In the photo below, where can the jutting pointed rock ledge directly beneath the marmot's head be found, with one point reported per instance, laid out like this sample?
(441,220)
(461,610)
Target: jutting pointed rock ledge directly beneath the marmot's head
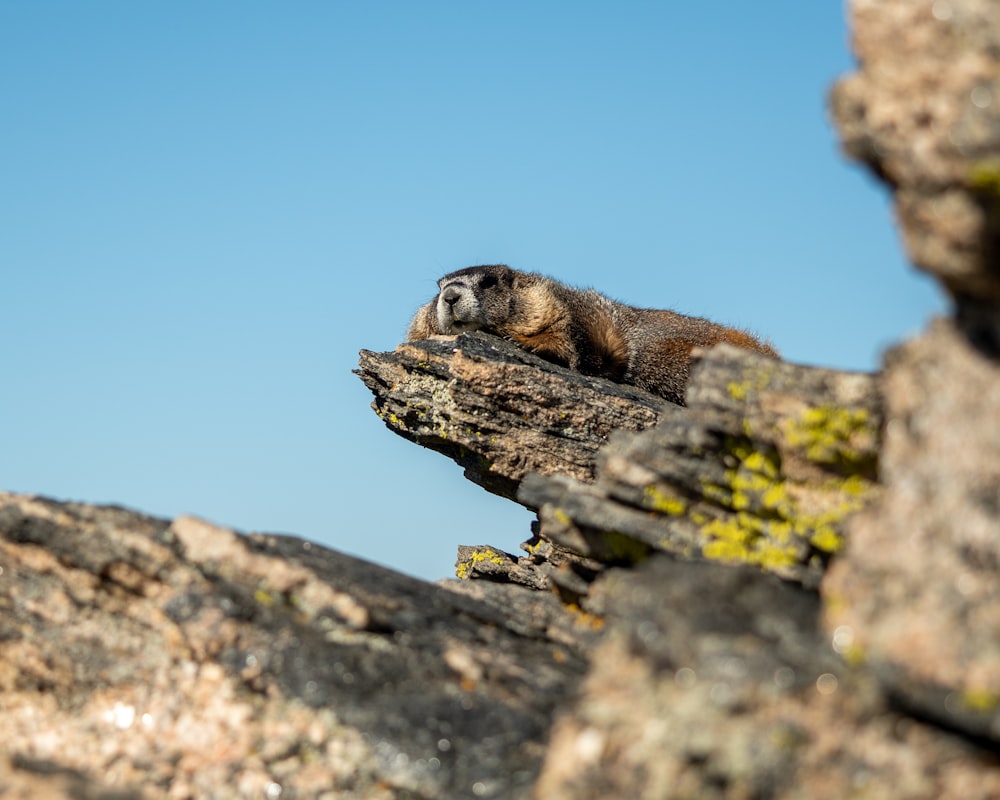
(498,411)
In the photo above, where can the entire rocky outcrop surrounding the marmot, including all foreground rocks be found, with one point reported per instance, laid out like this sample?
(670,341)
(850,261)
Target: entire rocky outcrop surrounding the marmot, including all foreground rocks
(786,588)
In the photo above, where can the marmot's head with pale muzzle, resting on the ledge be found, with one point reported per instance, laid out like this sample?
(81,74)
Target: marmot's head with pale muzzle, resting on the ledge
(475,298)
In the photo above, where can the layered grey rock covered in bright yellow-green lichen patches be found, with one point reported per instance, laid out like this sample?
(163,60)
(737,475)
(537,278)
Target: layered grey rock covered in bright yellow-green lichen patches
(764,466)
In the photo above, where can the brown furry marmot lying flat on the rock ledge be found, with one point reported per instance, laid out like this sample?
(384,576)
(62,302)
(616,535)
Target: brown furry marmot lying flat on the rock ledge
(578,328)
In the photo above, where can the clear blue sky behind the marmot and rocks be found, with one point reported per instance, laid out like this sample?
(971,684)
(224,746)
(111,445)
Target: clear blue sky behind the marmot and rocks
(209,208)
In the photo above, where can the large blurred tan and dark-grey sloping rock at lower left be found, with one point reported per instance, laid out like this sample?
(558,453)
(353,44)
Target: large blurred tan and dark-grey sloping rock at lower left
(183,660)
